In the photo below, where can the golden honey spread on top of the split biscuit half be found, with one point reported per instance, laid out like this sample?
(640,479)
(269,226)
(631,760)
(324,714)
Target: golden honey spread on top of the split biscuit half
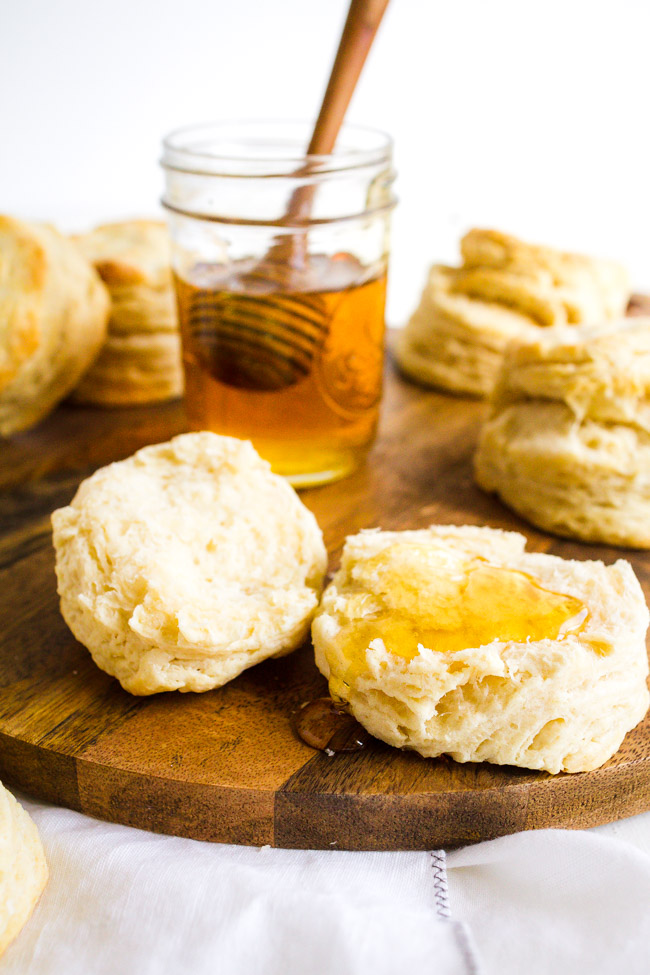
(466,603)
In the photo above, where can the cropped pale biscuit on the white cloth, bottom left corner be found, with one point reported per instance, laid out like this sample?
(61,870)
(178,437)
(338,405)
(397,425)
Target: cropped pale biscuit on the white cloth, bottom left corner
(23,870)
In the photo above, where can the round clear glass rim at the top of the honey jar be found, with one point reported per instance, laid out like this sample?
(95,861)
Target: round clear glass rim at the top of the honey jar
(263,148)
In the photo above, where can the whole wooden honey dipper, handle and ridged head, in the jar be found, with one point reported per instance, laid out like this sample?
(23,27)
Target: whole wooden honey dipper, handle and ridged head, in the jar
(271,337)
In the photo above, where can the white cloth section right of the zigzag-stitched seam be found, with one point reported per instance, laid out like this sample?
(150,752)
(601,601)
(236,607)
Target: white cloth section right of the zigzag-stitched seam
(556,901)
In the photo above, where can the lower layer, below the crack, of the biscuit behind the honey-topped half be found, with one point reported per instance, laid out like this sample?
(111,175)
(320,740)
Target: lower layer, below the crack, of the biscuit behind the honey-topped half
(580,480)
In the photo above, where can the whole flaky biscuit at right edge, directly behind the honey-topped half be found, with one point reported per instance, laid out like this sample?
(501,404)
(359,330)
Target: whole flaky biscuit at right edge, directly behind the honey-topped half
(567,442)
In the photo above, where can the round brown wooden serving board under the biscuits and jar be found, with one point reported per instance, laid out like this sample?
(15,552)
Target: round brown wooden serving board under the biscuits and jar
(226,765)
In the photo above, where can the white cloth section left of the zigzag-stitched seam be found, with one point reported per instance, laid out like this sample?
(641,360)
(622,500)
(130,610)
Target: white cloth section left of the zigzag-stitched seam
(122,901)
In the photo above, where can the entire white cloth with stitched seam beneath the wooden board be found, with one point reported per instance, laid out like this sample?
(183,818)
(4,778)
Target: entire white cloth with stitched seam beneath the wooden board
(126,902)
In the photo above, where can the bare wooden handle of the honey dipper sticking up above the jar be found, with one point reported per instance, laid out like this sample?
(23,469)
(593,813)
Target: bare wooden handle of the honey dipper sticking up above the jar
(364,17)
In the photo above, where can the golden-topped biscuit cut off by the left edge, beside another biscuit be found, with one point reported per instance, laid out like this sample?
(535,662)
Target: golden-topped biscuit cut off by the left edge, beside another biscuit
(53,316)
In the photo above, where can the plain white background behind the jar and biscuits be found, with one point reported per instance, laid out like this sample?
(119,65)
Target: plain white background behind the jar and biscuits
(528,116)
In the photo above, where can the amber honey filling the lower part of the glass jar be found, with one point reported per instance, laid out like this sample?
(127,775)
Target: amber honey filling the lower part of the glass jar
(293,364)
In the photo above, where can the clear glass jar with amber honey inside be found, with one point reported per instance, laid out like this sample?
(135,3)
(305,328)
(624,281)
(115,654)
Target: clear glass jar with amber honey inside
(280,264)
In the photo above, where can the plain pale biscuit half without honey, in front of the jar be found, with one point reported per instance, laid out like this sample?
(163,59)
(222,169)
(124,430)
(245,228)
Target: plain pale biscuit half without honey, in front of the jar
(187,563)
